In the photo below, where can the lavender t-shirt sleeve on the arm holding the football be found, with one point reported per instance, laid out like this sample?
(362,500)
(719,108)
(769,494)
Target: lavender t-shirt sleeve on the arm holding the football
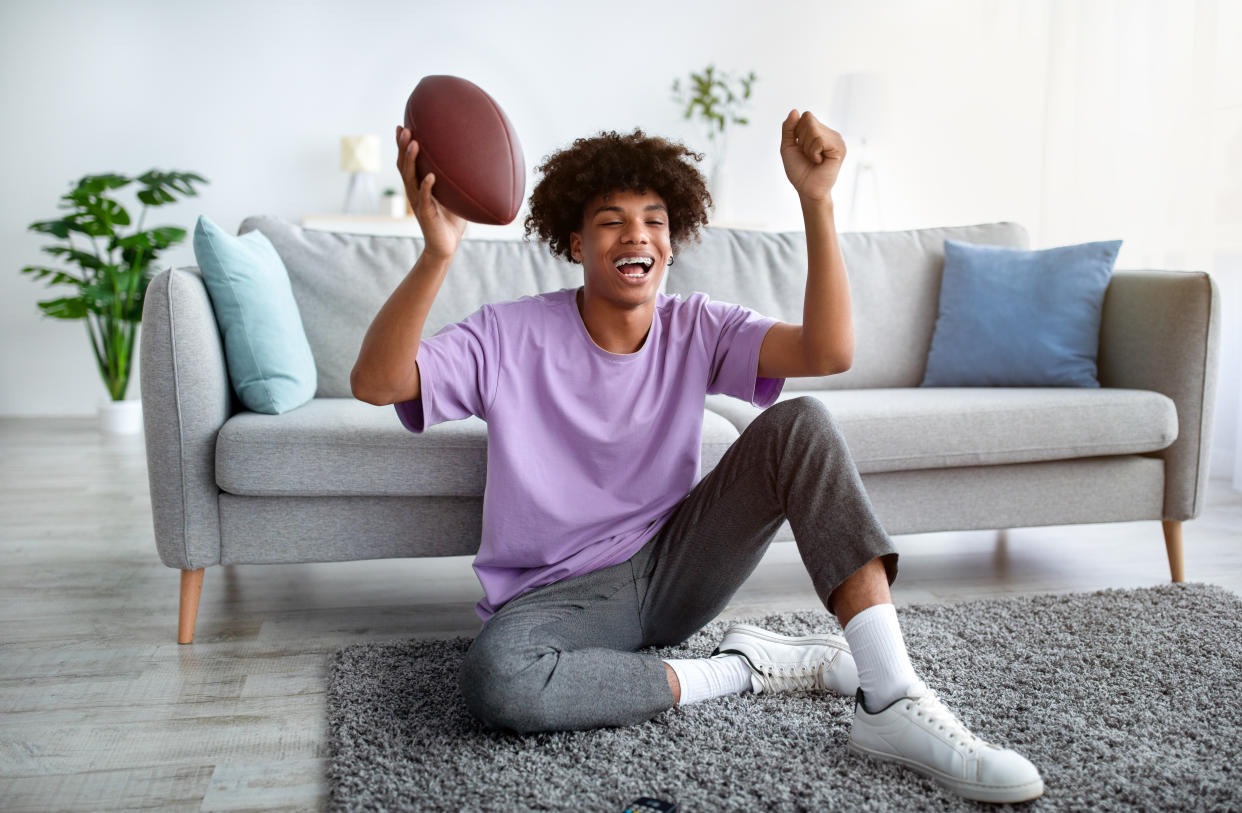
(458,373)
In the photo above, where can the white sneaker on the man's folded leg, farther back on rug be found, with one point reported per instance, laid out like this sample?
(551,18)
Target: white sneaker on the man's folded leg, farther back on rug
(784,663)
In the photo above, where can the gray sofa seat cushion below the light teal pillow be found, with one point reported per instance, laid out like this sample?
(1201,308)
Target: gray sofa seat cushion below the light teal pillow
(342,447)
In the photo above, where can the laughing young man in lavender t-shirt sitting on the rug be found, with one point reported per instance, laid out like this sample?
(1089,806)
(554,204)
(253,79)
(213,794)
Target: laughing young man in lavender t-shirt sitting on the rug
(597,539)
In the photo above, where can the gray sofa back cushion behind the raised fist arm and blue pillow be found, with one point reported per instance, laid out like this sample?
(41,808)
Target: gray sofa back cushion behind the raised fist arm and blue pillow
(895,289)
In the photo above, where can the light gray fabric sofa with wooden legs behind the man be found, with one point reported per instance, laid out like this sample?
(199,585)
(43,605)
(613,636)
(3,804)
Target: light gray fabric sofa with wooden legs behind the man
(338,480)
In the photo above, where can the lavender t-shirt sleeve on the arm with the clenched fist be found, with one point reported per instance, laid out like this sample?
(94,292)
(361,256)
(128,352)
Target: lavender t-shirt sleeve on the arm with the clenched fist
(736,362)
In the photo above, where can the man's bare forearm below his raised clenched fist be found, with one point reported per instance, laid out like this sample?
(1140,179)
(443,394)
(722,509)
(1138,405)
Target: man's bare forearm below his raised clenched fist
(828,323)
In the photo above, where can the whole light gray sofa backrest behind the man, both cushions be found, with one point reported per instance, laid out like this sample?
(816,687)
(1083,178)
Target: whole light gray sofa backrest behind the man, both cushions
(341,281)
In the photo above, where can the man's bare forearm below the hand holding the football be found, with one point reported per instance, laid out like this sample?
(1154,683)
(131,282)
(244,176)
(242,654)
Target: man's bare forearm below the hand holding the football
(387,361)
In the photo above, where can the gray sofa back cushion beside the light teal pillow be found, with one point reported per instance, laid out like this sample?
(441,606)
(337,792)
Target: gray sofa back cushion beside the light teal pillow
(342,281)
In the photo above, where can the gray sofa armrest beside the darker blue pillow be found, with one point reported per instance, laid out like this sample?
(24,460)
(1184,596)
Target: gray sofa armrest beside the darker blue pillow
(1161,332)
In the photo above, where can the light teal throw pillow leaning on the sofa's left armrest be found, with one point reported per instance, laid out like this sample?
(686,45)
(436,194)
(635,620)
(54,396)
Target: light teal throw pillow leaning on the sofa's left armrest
(270,361)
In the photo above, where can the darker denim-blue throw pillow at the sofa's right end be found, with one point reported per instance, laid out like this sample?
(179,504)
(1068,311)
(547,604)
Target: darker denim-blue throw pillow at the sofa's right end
(1020,318)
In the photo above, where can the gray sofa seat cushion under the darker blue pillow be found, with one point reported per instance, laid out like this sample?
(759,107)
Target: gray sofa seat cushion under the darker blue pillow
(913,429)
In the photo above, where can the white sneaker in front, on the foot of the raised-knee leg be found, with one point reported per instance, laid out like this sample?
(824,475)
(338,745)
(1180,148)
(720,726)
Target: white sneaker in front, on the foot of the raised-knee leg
(922,734)
